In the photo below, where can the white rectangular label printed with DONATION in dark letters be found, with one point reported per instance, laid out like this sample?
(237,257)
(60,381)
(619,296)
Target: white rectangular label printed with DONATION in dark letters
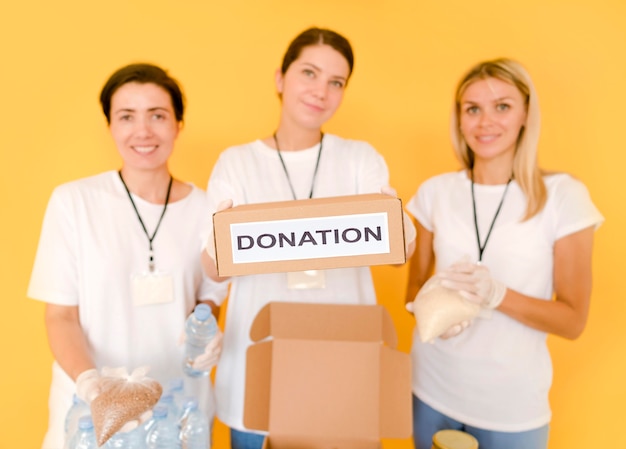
(310,238)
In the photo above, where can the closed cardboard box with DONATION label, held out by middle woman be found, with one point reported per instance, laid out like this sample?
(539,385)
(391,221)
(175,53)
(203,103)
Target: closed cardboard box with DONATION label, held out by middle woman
(312,234)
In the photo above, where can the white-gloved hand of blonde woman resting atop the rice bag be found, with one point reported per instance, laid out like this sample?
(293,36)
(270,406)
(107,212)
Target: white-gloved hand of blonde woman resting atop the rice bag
(475,283)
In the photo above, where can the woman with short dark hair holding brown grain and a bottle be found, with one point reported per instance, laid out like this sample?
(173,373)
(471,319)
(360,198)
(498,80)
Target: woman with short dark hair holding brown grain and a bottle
(117,263)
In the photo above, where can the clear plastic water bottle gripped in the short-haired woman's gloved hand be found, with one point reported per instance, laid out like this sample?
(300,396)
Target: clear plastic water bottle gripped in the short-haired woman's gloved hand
(200,328)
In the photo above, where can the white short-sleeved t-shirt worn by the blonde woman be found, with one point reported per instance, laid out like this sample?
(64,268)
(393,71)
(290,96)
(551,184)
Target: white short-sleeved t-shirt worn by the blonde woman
(497,373)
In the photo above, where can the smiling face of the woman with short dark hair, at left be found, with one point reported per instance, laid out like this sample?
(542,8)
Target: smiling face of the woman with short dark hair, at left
(143,126)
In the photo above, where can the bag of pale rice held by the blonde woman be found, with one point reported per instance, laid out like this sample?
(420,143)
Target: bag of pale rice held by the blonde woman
(437,309)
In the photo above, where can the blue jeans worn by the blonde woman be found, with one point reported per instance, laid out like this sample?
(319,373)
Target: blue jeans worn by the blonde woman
(427,421)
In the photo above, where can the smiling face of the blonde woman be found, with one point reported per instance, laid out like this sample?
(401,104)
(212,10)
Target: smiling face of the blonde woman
(492,113)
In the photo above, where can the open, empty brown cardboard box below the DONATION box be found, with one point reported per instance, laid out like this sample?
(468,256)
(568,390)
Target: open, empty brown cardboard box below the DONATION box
(328,378)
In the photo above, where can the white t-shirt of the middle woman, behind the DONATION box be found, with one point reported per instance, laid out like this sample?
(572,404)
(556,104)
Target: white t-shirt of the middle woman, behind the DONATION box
(253,173)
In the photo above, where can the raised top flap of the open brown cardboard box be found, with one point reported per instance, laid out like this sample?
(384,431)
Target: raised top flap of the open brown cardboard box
(341,322)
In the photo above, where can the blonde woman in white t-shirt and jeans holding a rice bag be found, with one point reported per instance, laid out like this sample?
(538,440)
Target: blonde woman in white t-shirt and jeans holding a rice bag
(515,240)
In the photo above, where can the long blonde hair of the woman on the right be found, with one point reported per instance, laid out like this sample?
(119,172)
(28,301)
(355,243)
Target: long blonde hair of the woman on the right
(526,169)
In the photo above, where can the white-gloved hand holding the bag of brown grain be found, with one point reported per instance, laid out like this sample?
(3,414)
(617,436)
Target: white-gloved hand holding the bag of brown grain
(88,387)
